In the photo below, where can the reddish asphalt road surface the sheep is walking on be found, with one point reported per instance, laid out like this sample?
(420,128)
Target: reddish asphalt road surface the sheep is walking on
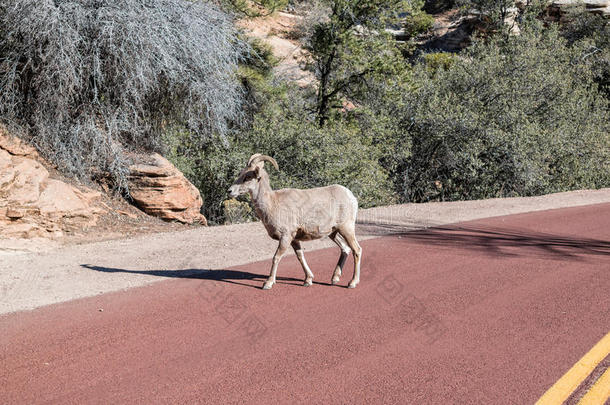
(490,311)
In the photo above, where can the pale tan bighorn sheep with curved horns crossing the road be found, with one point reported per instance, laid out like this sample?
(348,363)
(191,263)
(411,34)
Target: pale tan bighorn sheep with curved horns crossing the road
(293,215)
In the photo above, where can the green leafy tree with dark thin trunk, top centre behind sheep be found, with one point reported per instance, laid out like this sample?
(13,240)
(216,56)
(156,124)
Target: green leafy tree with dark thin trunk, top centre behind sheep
(351,48)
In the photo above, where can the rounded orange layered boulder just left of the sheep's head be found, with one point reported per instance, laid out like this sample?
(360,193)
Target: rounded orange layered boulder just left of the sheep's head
(161,190)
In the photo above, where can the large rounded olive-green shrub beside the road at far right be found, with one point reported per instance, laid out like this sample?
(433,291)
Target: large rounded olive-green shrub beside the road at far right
(518,116)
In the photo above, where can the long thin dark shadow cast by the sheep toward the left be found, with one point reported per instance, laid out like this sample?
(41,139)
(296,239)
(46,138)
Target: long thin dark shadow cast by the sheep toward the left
(219,275)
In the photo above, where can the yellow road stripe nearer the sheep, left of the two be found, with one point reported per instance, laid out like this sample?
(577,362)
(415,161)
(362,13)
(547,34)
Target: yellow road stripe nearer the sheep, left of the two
(561,390)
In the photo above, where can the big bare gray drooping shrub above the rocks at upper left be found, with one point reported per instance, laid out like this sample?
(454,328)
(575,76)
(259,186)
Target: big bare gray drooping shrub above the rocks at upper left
(88,79)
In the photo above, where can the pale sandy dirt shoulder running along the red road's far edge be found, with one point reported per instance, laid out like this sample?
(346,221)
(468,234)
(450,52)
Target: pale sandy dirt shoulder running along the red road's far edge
(36,273)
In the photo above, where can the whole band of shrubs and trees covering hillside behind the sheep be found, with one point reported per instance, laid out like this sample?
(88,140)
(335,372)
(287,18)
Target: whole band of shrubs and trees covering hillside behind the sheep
(511,115)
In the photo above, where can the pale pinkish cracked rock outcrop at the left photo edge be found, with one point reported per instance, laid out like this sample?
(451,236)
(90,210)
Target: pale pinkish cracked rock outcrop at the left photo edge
(32,204)
